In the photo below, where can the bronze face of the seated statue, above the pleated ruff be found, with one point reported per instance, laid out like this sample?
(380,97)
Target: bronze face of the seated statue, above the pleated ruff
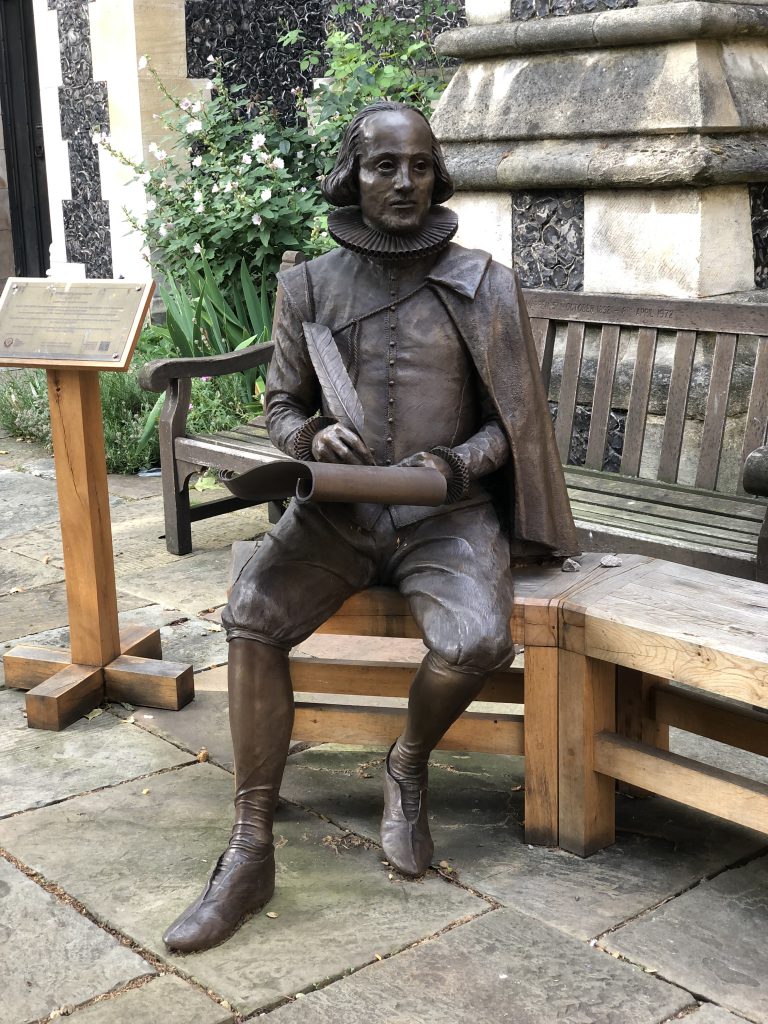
(397,175)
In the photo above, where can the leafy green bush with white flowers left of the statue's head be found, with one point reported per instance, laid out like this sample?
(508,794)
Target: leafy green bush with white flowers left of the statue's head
(232,184)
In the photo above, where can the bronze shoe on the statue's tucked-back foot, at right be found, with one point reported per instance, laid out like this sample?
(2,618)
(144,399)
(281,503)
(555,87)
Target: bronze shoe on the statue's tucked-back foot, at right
(408,845)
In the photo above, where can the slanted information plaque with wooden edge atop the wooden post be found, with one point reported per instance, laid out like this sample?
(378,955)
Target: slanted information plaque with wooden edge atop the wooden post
(92,325)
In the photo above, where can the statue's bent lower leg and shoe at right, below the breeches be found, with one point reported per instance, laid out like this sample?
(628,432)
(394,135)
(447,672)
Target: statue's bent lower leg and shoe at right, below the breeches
(439,696)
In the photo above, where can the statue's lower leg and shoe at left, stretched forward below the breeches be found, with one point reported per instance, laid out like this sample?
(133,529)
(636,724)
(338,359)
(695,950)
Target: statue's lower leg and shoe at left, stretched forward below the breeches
(262,712)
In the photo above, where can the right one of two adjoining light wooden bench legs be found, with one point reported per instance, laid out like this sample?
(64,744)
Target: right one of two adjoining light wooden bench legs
(587,706)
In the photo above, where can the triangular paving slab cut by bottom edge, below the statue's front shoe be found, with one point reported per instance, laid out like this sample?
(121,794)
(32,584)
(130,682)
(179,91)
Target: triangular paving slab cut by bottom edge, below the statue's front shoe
(163,1001)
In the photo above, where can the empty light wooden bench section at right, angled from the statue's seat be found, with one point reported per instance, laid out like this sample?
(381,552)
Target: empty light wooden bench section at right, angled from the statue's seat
(647,623)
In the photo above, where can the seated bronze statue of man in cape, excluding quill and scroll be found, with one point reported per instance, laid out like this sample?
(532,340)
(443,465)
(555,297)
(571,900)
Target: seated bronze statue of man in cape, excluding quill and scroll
(438,344)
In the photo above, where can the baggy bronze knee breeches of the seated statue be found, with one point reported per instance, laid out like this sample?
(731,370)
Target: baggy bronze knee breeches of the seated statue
(454,569)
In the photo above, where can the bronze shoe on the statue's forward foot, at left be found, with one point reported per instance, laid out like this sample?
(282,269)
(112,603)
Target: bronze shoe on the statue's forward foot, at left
(239,887)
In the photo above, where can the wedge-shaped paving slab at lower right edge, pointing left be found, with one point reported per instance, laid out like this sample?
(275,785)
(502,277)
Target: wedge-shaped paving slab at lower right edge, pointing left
(712,941)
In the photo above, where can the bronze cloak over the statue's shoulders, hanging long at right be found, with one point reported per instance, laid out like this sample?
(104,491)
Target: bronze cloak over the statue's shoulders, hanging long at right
(485,302)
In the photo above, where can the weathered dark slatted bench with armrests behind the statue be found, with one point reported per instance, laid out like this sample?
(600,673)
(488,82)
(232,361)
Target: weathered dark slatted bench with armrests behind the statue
(658,406)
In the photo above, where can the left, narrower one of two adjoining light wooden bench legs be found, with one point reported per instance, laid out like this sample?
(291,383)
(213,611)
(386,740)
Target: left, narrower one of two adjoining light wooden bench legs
(541,746)
